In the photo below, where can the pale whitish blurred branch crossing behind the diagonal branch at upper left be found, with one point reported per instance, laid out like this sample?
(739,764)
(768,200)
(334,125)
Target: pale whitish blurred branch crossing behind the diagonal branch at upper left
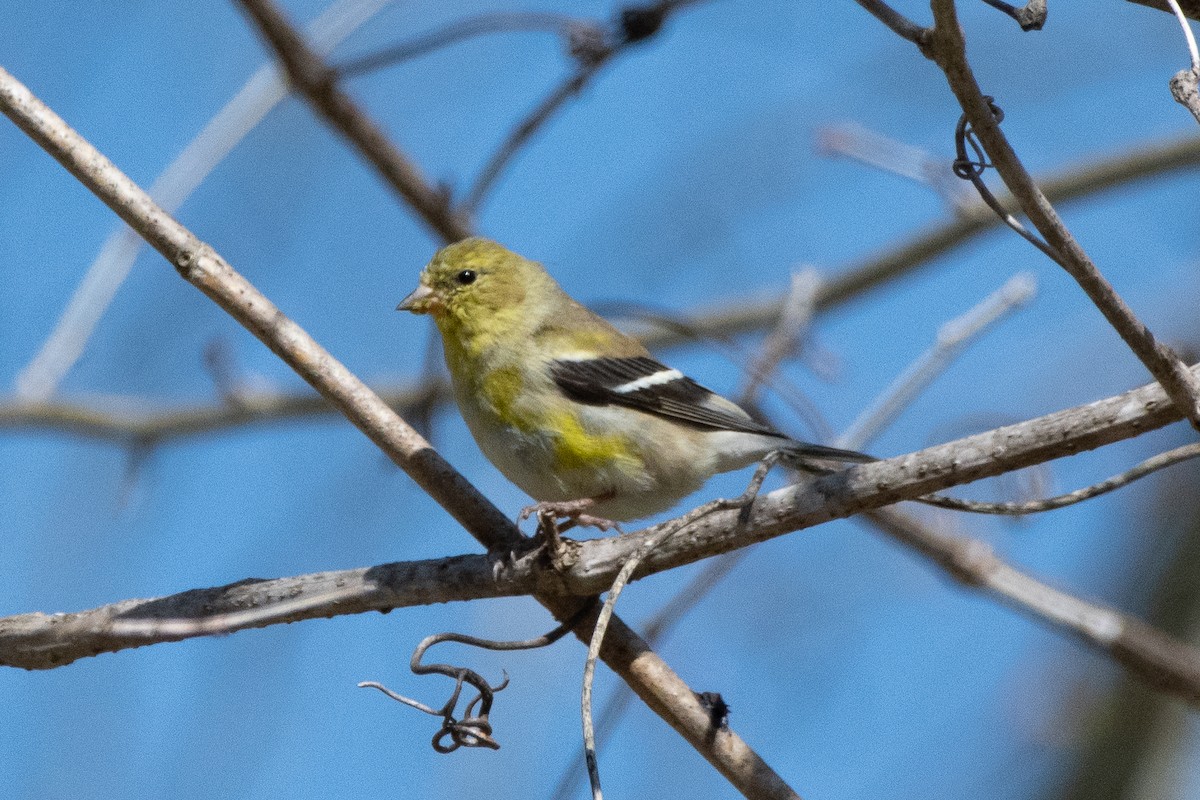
(41,377)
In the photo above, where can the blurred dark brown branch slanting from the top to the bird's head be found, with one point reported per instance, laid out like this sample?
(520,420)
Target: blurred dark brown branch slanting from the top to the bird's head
(319,85)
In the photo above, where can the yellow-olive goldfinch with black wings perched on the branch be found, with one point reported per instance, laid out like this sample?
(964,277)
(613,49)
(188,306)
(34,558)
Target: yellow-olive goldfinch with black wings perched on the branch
(571,410)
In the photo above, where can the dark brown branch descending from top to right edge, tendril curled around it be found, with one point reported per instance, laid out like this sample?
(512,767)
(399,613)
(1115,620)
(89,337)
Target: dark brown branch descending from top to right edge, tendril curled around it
(947,47)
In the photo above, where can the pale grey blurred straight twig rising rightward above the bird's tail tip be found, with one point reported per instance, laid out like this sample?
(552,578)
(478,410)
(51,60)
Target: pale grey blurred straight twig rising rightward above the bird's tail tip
(953,338)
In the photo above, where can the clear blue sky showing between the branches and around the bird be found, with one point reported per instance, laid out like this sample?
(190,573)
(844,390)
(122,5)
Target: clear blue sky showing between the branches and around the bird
(687,177)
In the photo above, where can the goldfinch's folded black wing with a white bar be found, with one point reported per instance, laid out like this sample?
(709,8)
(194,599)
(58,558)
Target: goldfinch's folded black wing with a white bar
(643,383)
